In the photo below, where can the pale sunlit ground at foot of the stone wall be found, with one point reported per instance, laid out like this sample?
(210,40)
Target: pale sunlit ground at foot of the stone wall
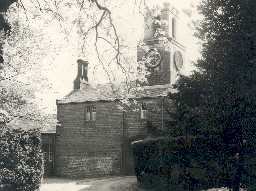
(127,183)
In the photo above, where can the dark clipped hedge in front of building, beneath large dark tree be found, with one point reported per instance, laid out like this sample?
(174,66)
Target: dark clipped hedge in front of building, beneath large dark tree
(188,163)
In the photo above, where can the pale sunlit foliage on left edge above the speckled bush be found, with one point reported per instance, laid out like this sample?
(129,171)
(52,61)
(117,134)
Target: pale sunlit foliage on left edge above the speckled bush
(15,61)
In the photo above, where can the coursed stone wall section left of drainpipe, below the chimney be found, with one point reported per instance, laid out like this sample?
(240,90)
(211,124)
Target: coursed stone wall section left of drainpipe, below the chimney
(88,148)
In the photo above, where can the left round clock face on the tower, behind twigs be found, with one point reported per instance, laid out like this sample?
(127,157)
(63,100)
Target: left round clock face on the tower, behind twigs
(152,58)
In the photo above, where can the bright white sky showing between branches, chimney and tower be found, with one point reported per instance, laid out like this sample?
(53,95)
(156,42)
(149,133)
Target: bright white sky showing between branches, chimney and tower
(60,69)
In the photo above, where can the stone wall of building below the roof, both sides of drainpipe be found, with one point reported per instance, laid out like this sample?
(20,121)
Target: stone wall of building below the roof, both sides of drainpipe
(98,148)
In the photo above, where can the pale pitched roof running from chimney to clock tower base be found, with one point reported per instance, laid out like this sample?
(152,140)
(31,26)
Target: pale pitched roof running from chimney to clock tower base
(106,92)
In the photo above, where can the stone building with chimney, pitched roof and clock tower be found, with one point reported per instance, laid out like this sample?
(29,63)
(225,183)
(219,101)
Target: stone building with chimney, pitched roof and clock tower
(94,133)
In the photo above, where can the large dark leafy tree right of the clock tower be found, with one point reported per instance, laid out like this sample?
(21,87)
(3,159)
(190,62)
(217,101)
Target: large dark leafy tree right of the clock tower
(218,101)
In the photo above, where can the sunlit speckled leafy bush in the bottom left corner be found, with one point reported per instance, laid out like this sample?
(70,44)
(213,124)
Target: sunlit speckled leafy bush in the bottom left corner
(20,159)
